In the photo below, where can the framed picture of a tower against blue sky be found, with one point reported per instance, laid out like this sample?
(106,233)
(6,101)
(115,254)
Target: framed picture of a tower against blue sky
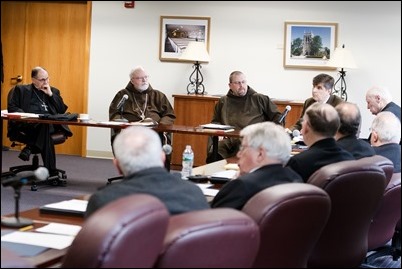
(309,45)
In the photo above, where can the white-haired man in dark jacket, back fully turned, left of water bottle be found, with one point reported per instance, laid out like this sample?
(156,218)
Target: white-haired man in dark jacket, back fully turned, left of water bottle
(139,157)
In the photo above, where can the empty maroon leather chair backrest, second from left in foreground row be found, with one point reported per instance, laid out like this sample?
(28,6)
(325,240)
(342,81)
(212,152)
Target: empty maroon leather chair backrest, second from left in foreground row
(210,238)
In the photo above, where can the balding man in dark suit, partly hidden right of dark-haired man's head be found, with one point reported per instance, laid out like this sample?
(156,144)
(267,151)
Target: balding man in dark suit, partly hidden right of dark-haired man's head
(348,132)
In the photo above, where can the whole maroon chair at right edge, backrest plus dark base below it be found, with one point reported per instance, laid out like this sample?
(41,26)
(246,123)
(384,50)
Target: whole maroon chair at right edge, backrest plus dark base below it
(384,225)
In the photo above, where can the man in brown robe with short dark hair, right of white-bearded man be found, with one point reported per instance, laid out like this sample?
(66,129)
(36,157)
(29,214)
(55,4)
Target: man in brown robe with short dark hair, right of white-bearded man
(241,106)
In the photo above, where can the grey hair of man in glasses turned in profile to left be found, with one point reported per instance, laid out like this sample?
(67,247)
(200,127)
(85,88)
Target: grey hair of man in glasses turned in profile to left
(271,137)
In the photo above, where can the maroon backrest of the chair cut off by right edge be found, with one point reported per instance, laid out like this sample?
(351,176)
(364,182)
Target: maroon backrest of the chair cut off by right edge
(383,225)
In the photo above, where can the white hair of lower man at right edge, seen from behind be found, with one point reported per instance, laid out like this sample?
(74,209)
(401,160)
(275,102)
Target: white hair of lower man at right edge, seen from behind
(388,127)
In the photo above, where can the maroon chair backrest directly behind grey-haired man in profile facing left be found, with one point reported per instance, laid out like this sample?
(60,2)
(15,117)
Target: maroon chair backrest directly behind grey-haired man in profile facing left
(291,217)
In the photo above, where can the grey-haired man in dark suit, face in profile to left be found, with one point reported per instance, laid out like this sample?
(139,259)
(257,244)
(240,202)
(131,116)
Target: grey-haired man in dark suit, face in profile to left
(264,150)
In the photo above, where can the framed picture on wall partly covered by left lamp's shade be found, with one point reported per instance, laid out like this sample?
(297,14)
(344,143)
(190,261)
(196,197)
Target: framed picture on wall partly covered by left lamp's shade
(177,31)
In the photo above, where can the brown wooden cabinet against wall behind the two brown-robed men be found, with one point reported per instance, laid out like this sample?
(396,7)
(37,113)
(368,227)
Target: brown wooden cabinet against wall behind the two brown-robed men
(193,110)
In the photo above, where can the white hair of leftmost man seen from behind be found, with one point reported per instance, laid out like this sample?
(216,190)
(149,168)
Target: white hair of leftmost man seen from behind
(137,148)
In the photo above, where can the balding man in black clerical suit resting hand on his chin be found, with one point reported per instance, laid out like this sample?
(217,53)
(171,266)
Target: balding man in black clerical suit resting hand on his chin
(39,98)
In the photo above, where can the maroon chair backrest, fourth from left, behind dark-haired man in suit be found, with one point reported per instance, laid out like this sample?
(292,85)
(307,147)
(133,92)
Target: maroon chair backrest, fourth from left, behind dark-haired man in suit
(356,188)
